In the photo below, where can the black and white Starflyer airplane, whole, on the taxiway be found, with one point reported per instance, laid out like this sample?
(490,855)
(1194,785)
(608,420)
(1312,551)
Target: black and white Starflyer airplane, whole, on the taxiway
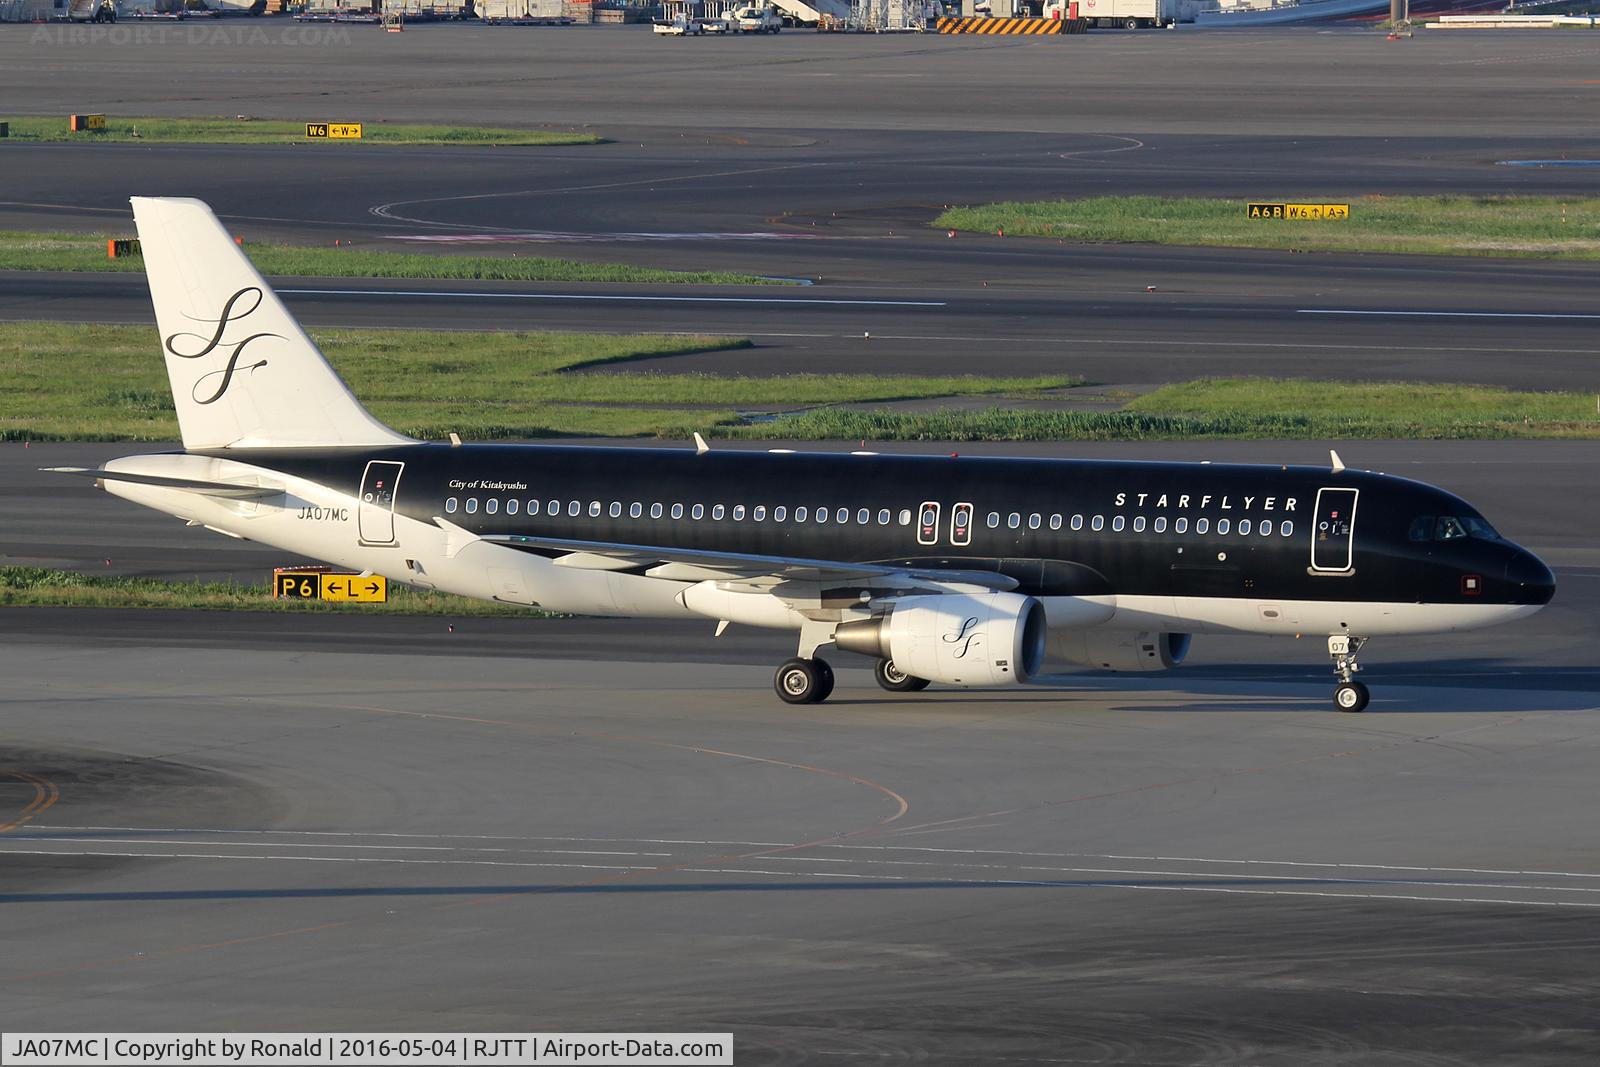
(966,572)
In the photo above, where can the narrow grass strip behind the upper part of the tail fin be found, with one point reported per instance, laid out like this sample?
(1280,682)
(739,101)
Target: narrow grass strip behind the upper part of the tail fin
(87,252)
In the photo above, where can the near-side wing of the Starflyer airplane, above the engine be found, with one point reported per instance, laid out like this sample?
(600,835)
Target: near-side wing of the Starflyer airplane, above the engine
(697,565)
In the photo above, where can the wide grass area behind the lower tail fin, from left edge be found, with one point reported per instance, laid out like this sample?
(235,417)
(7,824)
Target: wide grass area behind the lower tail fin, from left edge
(71,382)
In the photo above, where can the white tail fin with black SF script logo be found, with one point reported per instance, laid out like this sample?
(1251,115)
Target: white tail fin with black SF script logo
(244,374)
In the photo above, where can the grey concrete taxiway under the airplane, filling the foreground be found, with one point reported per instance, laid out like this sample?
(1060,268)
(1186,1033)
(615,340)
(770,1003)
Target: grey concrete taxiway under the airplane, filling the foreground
(362,823)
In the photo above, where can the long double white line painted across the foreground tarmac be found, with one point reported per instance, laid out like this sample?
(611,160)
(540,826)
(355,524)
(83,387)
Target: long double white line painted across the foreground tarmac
(934,866)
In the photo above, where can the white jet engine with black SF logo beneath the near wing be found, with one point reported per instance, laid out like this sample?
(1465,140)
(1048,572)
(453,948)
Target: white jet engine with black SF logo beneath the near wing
(959,639)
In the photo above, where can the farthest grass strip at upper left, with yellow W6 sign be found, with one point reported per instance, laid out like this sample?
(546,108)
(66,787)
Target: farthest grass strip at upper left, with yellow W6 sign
(218,130)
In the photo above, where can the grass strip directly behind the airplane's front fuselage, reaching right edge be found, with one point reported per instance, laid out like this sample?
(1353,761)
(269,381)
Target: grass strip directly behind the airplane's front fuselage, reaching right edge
(1230,409)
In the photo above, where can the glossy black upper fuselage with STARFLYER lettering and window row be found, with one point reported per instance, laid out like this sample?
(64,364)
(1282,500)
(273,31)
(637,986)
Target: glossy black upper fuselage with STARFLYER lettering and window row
(1057,527)
